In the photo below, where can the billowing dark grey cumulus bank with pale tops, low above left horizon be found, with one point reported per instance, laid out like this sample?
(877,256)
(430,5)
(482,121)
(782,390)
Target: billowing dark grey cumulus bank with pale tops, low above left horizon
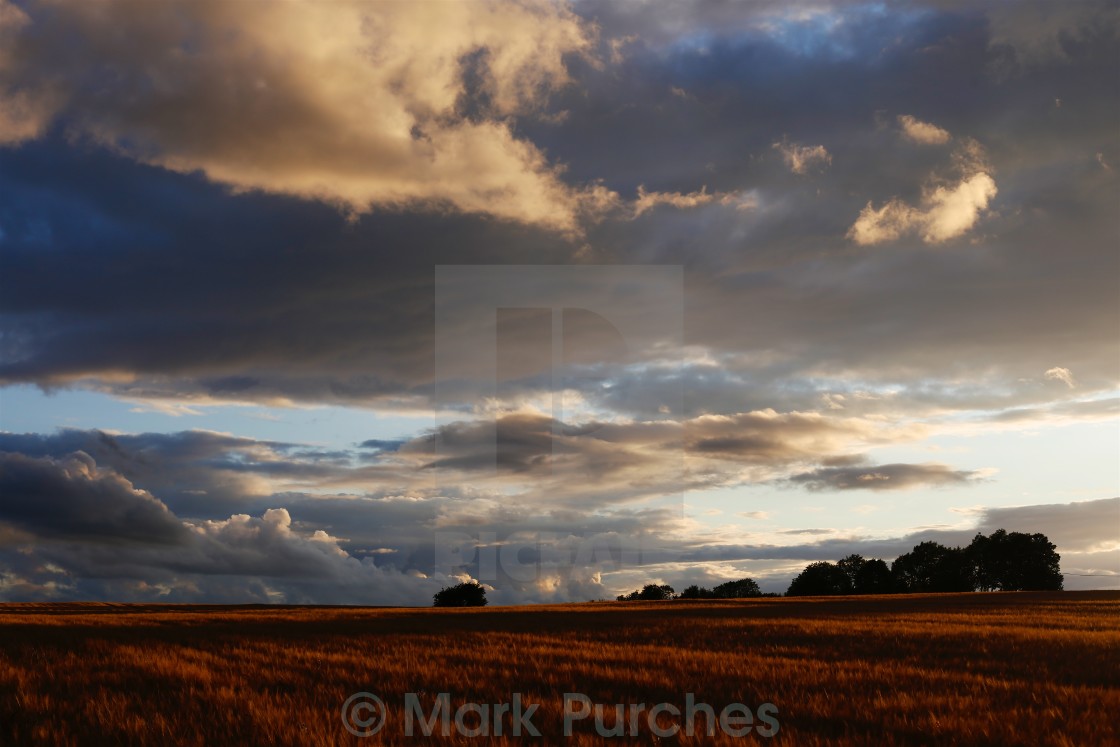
(86,533)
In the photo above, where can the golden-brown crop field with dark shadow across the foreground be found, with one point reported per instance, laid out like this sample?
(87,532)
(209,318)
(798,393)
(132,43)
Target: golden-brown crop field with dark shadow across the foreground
(973,669)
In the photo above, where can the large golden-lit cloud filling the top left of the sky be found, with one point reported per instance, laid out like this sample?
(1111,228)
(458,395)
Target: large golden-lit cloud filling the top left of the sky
(358,105)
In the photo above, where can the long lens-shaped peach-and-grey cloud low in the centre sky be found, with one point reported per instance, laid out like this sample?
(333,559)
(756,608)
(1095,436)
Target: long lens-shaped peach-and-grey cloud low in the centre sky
(606,463)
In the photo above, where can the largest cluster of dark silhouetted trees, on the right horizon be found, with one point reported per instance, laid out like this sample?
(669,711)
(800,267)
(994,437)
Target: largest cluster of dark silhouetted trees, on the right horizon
(1009,562)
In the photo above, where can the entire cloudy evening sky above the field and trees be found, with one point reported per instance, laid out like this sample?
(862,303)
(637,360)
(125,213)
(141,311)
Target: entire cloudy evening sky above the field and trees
(346,303)
